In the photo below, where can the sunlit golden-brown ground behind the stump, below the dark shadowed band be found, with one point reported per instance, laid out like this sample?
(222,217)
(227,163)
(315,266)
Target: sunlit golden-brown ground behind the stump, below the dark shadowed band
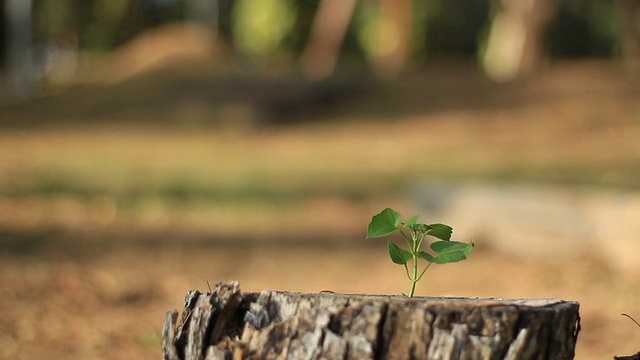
(87,274)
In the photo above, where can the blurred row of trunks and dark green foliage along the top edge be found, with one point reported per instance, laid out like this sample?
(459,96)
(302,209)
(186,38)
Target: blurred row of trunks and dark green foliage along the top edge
(390,34)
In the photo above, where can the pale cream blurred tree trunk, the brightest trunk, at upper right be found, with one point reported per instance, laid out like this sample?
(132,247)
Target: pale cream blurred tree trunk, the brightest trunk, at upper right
(514,45)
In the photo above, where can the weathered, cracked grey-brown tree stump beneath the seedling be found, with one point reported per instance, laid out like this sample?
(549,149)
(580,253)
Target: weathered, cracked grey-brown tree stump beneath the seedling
(228,324)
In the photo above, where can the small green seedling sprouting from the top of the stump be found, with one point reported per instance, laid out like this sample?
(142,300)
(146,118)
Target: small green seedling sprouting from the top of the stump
(389,221)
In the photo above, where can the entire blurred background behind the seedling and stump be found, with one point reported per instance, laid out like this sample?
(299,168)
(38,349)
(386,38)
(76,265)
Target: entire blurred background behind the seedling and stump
(150,146)
